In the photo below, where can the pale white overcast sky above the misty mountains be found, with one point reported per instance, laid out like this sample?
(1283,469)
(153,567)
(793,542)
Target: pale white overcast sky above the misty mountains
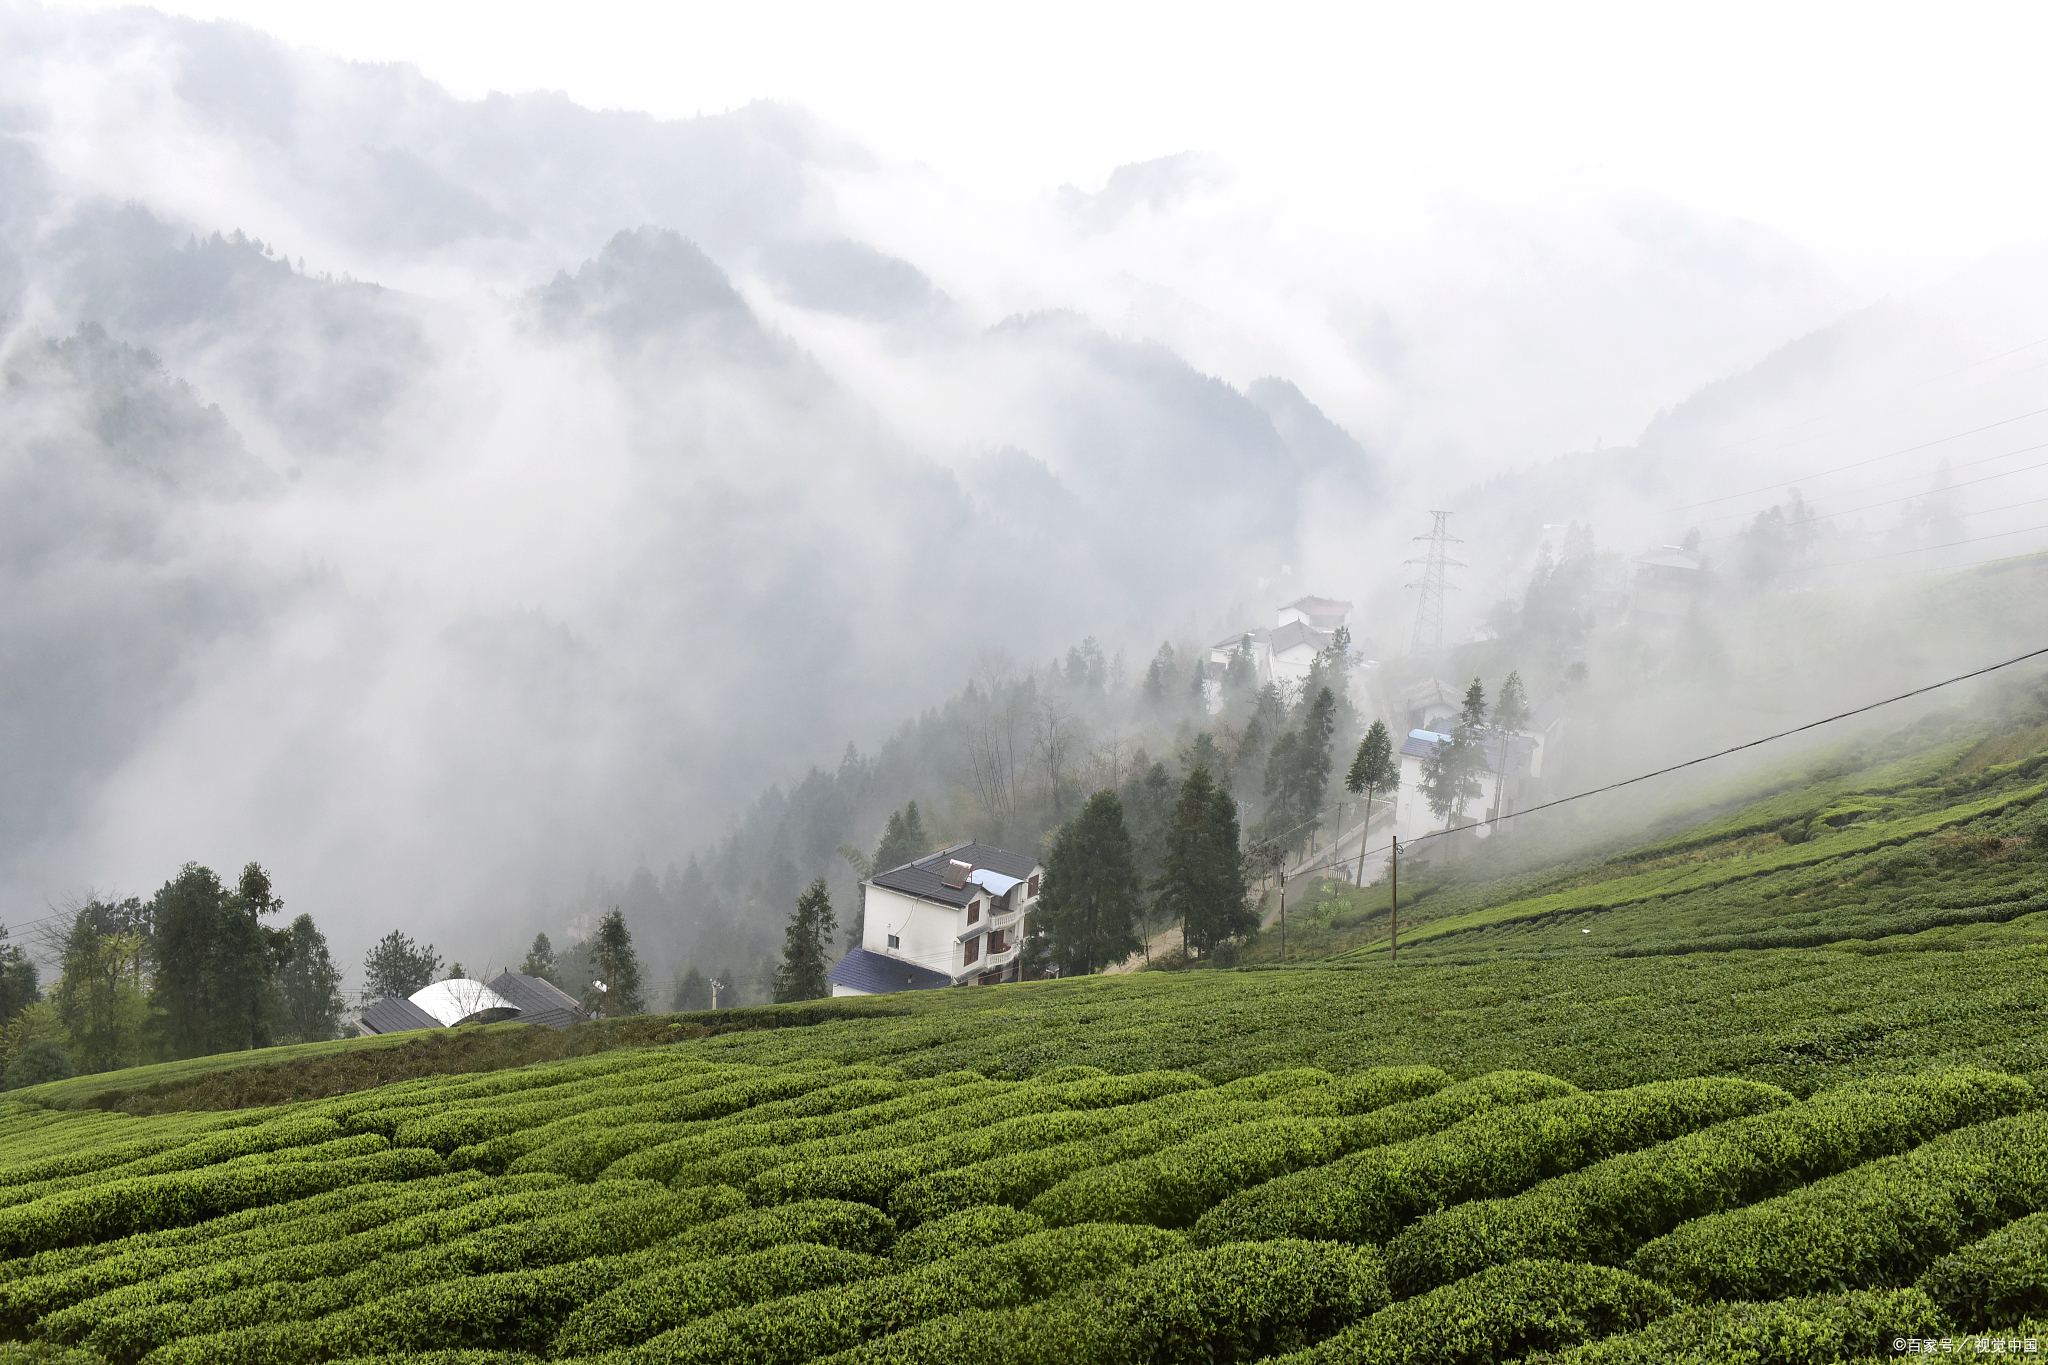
(1891,140)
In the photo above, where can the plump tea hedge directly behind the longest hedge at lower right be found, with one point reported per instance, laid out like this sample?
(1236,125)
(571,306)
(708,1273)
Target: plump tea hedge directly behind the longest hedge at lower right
(1496,1153)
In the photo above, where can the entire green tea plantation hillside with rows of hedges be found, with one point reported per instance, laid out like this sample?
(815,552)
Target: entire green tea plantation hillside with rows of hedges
(1687,1143)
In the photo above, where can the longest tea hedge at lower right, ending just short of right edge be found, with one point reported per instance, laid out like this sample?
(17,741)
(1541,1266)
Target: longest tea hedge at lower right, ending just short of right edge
(1609,1210)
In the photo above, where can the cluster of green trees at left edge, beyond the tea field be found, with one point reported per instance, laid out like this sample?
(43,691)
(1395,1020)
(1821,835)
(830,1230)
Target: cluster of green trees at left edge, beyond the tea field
(189,973)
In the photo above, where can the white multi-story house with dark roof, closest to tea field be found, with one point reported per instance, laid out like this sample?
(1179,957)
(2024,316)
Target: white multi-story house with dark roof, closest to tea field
(945,920)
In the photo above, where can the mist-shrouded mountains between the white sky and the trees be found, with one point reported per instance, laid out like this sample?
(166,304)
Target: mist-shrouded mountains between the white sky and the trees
(460,504)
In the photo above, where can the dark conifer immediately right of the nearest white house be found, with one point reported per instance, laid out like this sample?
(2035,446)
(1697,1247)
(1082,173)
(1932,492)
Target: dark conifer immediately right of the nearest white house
(1091,899)
